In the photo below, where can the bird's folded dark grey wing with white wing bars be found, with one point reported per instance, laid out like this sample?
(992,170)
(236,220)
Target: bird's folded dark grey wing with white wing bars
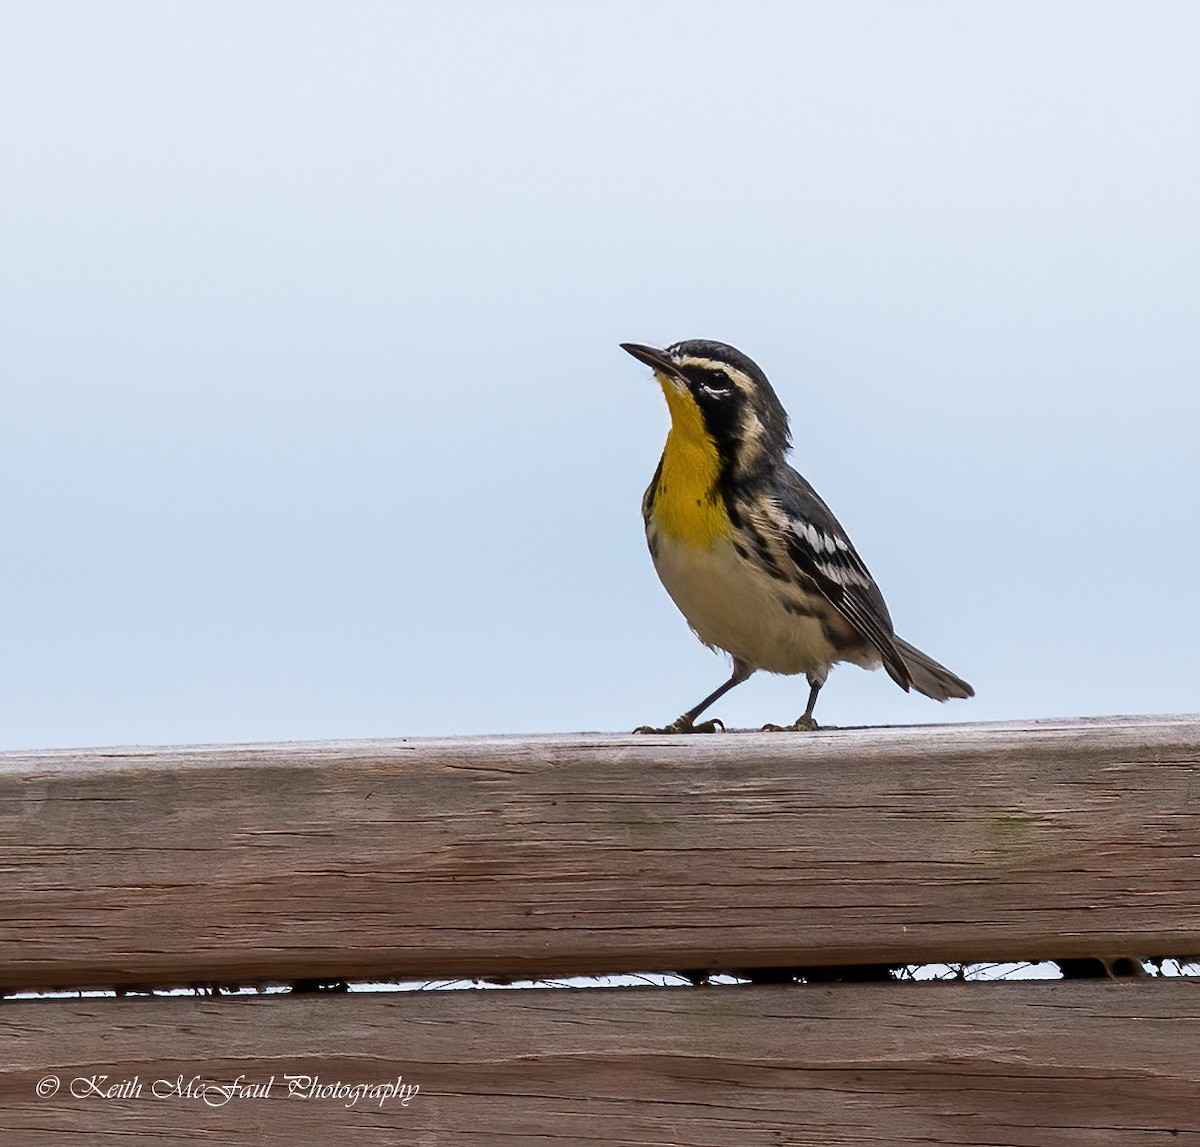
(819,548)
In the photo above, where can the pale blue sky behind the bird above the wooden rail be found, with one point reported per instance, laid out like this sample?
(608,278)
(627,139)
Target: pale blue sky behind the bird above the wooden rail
(315,423)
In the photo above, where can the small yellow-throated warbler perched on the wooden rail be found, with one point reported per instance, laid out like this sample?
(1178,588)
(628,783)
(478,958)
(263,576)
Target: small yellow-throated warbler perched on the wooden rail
(746,548)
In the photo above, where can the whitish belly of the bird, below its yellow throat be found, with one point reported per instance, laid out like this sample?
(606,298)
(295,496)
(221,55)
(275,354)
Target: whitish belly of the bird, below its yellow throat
(761,621)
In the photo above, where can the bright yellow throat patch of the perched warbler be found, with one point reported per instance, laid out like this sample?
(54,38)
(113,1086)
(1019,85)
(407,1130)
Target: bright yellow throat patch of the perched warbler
(687,502)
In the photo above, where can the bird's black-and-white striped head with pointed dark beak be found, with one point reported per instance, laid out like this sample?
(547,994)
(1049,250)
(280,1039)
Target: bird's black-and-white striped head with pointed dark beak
(715,391)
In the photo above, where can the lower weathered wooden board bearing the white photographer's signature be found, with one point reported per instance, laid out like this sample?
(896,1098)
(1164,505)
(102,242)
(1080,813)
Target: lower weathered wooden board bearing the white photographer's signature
(1022,1065)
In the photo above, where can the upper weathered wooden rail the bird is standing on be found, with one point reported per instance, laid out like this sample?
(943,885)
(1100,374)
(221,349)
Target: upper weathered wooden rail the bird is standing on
(557,856)
